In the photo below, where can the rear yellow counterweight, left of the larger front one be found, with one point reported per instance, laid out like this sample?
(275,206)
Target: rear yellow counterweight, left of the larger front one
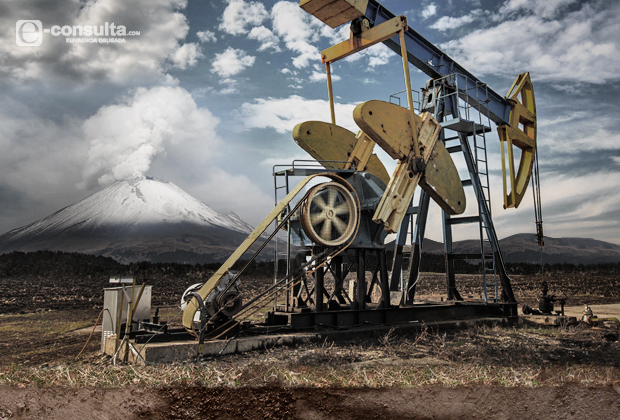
(328,142)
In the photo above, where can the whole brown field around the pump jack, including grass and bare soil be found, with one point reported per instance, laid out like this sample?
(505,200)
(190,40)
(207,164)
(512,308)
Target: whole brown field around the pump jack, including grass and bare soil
(480,372)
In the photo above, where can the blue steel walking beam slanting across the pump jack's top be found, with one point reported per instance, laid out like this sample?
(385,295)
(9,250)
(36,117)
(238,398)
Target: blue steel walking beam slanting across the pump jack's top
(435,63)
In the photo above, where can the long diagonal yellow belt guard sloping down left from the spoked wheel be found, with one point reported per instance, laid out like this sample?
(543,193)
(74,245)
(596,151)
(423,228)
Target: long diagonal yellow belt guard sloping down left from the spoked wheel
(207,288)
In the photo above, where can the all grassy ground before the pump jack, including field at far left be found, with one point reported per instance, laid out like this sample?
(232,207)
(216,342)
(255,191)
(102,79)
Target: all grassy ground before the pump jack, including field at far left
(482,355)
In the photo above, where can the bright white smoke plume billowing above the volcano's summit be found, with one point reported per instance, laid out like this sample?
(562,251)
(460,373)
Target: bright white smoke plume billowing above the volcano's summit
(124,138)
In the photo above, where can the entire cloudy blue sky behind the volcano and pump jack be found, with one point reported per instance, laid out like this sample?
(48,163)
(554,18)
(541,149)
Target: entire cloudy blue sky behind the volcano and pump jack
(208,93)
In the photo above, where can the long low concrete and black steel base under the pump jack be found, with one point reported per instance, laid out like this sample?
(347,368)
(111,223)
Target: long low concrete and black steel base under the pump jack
(328,325)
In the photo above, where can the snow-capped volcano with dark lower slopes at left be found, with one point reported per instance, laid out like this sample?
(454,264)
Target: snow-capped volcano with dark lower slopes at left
(140,219)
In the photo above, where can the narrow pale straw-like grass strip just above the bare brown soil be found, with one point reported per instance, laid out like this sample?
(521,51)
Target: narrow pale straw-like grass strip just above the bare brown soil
(258,374)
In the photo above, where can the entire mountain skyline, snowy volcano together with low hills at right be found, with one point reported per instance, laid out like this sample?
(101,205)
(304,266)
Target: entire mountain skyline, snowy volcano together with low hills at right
(147,219)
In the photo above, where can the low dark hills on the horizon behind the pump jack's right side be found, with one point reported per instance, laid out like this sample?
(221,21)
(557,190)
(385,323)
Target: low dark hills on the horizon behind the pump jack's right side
(523,247)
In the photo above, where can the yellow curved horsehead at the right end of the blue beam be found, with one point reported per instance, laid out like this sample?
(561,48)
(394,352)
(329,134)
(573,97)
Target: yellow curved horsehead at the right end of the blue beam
(521,132)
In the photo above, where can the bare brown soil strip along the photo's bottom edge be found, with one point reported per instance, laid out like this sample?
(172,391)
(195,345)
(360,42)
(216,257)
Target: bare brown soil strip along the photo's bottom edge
(429,402)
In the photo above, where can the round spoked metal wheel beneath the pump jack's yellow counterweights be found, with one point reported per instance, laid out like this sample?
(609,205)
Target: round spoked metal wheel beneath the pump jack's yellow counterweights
(330,214)
